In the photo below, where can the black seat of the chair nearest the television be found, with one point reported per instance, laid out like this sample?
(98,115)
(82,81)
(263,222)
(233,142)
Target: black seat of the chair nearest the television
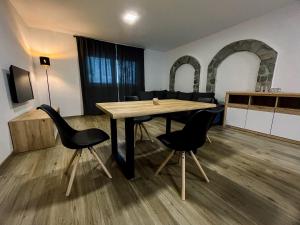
(89,138)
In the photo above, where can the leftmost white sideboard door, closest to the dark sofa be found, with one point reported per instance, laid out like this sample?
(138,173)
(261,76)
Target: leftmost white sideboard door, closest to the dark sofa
(236,117)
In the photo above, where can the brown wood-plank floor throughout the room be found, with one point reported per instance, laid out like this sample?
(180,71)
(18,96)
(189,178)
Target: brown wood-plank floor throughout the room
(253,180)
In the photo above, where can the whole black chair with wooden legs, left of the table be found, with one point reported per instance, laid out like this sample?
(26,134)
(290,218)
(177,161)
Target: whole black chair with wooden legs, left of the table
(76,140)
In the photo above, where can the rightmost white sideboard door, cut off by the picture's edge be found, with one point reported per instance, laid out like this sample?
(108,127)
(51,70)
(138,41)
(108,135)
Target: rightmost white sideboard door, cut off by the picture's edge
(287,126)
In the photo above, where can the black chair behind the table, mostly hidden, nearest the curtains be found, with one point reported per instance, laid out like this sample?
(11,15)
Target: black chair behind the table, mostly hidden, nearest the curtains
(139,121)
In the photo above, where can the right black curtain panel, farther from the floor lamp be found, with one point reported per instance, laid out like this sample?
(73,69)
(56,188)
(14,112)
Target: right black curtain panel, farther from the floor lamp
(130,67)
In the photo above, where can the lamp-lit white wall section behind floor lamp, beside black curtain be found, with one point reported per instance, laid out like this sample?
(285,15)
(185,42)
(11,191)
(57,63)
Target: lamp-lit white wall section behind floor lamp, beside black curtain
(64,77)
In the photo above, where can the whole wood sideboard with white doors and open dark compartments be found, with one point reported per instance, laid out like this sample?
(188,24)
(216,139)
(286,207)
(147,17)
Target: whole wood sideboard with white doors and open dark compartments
(274,115)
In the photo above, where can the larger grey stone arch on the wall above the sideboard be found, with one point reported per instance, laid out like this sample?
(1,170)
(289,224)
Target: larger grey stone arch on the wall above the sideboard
(266,54)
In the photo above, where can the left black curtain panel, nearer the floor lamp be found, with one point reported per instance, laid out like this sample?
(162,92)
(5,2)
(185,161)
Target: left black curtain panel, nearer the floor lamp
(97,62)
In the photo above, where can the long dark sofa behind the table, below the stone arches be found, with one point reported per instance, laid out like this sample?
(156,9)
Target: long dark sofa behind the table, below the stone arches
(192,96)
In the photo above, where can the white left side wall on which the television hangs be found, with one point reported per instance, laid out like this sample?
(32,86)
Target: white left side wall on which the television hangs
(13,50)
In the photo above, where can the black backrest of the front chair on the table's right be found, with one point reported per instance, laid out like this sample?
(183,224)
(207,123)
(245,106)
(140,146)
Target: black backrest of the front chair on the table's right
(196,128)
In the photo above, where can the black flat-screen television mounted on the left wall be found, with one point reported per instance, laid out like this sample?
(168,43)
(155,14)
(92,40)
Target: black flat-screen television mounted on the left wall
(20,85)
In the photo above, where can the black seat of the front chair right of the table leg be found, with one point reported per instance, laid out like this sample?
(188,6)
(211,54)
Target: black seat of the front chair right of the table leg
(174,140)
